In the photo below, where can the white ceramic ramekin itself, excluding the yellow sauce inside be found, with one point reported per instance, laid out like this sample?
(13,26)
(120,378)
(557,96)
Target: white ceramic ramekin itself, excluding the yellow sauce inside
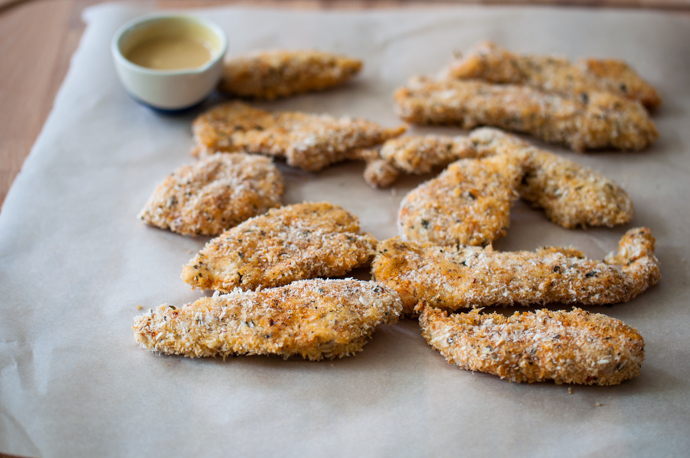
(169,90)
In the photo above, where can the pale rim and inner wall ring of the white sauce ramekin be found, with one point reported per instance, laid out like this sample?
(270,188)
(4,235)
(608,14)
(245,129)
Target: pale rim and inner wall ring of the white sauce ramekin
(129,25)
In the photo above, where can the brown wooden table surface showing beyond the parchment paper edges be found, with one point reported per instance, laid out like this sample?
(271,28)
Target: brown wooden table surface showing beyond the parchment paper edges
(37,38)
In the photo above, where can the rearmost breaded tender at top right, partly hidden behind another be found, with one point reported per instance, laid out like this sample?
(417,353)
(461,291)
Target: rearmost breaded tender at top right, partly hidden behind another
(494,64)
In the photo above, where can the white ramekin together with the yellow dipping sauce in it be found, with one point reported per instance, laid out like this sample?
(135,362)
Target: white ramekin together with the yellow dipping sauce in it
(169,62)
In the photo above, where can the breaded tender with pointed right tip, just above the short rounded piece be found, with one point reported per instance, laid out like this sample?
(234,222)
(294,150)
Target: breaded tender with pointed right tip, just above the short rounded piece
(309,142)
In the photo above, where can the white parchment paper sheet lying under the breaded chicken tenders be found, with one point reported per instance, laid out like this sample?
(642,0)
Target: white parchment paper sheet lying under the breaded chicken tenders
(75,263)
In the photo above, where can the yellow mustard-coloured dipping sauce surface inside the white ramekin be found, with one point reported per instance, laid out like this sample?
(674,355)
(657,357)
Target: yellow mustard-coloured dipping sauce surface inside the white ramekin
(169,53)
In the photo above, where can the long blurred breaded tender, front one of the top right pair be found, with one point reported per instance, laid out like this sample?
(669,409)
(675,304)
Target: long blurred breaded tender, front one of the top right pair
(599,120)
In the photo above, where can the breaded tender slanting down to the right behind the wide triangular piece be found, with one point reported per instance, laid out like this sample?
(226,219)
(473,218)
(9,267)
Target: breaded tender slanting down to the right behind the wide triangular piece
(570,194)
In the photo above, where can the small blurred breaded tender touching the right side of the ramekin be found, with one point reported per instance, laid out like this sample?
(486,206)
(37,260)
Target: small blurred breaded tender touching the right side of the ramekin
(269,75)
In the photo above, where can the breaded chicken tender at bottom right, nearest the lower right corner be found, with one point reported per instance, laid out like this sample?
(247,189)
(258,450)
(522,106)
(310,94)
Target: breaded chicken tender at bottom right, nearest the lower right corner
(566,347)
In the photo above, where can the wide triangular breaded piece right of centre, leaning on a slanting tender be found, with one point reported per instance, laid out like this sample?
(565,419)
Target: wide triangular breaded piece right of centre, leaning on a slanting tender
(467,204)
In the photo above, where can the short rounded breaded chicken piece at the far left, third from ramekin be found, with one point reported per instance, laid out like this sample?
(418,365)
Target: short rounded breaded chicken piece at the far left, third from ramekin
(218,192)
